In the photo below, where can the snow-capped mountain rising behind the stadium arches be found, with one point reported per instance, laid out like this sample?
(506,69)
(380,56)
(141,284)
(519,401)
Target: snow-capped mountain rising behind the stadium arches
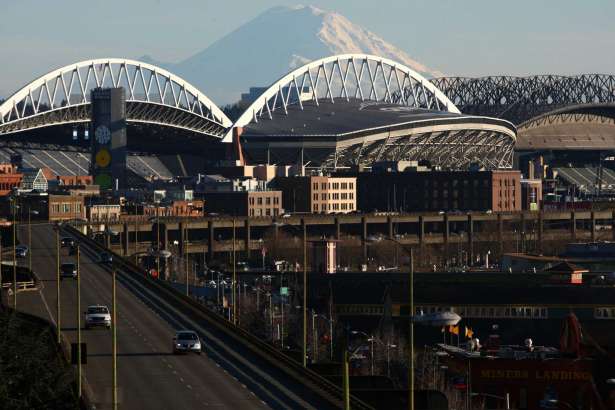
(278,40)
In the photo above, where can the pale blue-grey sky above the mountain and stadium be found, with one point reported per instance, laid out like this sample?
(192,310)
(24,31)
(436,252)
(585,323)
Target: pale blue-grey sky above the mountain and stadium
(470,38)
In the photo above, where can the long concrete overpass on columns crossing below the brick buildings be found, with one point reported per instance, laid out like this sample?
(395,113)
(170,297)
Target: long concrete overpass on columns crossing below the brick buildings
(212,236)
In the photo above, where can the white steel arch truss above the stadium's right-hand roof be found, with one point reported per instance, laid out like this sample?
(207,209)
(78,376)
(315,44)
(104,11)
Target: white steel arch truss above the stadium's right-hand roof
(345,77)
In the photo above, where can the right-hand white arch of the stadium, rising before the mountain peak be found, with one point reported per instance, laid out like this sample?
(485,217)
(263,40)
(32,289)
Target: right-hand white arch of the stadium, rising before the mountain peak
(290,83)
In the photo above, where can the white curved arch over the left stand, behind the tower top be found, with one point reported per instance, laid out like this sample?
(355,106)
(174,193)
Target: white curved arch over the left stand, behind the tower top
(161,84)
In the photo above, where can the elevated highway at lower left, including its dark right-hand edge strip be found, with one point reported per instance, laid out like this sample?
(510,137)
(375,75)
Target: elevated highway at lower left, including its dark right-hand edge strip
(231,374)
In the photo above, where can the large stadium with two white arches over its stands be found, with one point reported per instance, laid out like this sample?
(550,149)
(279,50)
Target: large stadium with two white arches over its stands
(337,112)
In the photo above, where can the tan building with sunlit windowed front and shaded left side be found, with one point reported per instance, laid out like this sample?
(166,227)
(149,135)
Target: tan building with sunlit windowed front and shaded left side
(318,194)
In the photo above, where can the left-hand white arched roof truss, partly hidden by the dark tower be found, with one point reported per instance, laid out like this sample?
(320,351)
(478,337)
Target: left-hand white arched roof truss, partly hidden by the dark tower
(153,96)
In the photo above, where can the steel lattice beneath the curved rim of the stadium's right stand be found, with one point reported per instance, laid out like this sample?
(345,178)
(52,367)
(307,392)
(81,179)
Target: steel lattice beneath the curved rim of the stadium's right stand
(449,149)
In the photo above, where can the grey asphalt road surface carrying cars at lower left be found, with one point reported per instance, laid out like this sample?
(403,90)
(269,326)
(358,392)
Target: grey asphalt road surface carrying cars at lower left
(149,375)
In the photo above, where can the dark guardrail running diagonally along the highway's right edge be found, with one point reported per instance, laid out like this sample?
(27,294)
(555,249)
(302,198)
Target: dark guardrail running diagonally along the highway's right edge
(325,389)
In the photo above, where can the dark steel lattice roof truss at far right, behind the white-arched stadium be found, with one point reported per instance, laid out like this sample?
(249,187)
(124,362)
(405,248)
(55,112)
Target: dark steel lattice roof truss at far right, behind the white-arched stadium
(518,99)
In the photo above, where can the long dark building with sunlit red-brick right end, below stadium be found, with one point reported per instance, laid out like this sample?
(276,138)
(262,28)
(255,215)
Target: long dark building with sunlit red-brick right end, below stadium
(436,191)
